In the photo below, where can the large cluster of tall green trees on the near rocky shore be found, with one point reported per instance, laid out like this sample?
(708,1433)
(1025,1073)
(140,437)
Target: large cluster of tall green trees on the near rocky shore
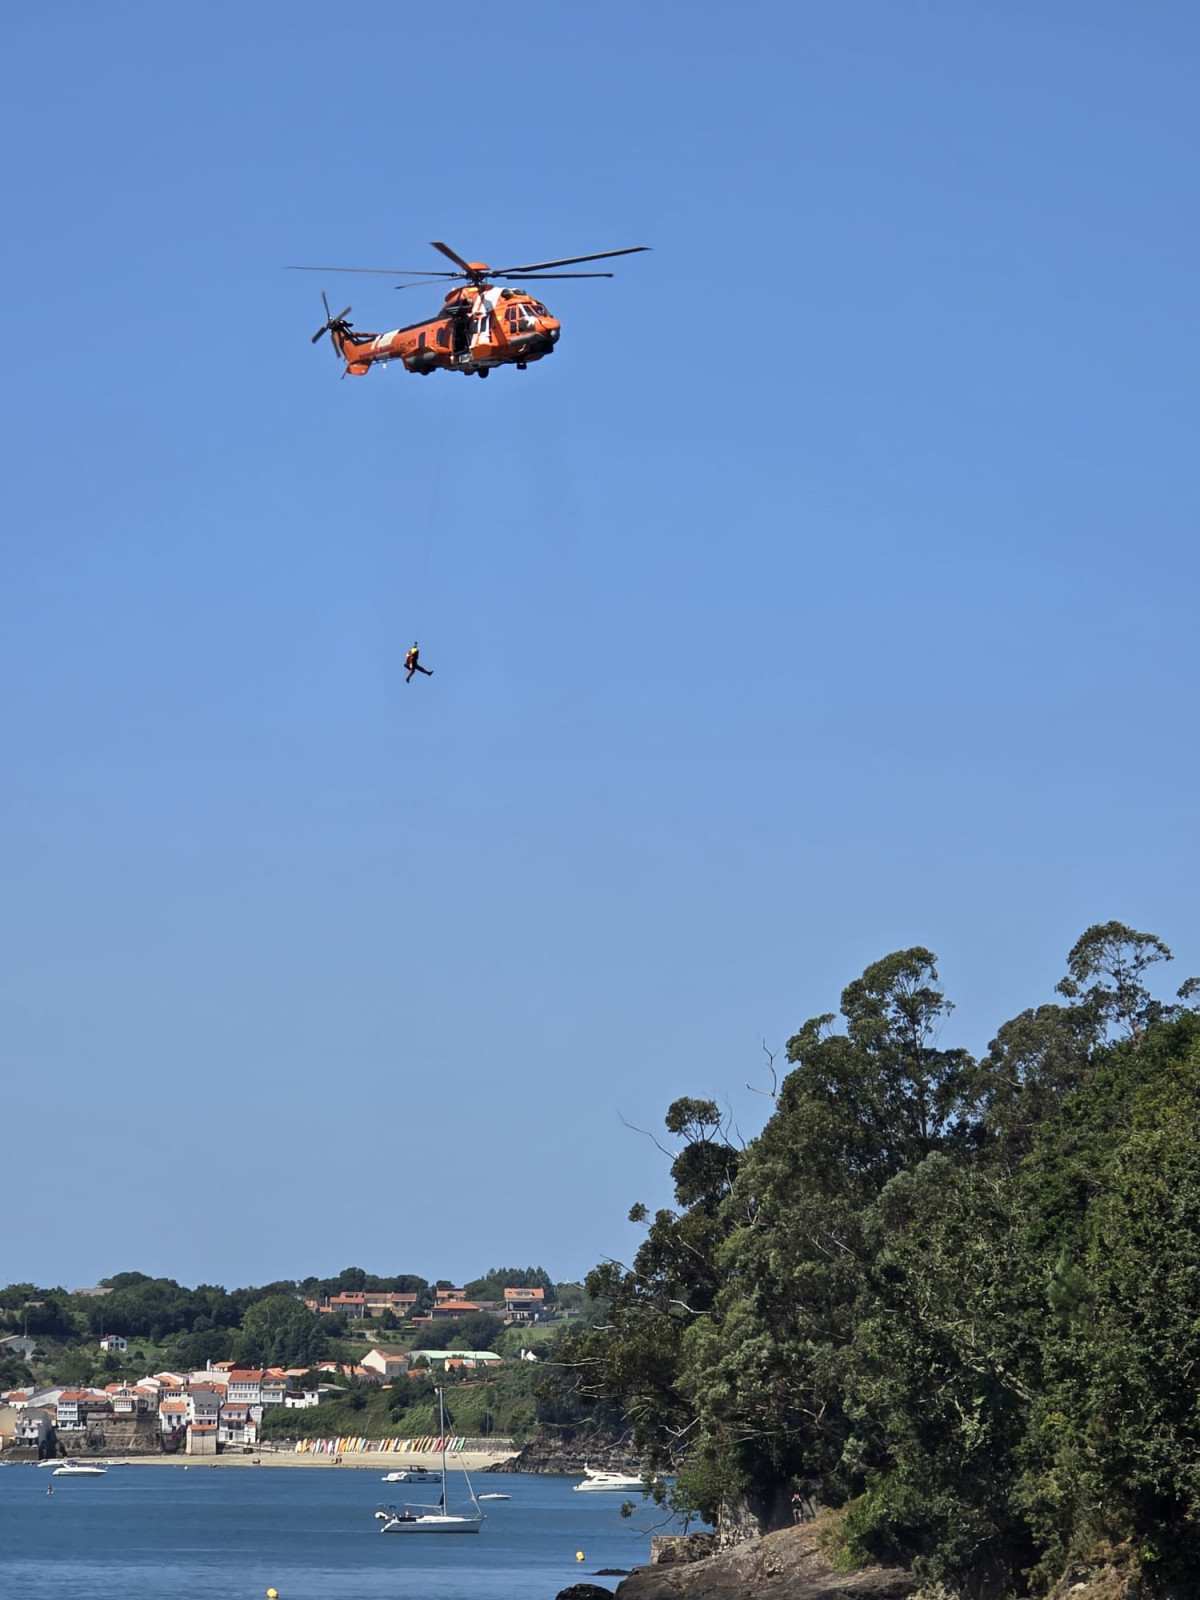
(958,1298)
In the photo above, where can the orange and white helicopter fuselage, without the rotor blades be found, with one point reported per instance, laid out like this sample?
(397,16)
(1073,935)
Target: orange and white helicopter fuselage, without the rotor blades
(479,327)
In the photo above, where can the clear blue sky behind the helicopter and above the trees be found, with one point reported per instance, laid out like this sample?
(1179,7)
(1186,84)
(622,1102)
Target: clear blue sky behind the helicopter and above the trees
(831,590)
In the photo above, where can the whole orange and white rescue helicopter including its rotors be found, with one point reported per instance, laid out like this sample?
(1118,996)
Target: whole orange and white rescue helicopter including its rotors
(478,329)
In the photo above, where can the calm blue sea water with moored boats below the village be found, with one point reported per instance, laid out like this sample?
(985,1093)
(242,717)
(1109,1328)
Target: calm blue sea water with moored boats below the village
(231,1534)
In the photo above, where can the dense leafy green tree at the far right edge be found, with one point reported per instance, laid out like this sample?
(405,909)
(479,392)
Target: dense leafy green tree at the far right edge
(1114,1442)
